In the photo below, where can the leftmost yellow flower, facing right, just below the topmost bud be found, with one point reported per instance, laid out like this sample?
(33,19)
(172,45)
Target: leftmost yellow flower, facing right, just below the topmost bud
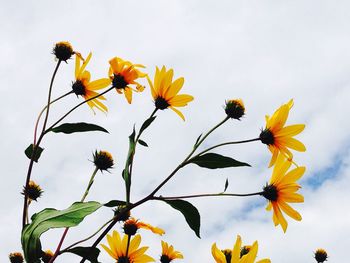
(83,87)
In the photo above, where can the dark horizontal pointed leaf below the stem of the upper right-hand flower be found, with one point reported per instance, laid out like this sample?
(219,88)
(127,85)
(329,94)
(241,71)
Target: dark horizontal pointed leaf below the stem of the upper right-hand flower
(214,161)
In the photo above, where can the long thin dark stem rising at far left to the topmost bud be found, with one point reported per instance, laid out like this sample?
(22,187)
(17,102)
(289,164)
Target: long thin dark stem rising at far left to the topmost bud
(36,146)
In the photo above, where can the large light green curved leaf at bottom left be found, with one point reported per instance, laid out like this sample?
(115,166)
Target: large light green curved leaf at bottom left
(52,218)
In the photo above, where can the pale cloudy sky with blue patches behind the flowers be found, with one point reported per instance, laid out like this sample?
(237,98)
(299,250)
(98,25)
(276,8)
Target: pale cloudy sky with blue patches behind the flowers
(264,52)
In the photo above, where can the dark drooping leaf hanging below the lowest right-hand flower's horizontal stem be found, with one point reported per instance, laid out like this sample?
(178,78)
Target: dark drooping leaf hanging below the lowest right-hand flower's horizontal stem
(190,213)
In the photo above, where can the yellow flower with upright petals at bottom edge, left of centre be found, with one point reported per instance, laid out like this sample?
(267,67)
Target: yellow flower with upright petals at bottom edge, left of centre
(117,249)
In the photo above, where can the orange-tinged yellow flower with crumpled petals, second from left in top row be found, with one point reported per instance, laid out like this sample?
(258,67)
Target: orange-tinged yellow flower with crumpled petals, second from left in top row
(123,74)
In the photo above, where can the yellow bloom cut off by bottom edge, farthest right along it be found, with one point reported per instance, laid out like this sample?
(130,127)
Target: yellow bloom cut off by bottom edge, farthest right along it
(235,255)
